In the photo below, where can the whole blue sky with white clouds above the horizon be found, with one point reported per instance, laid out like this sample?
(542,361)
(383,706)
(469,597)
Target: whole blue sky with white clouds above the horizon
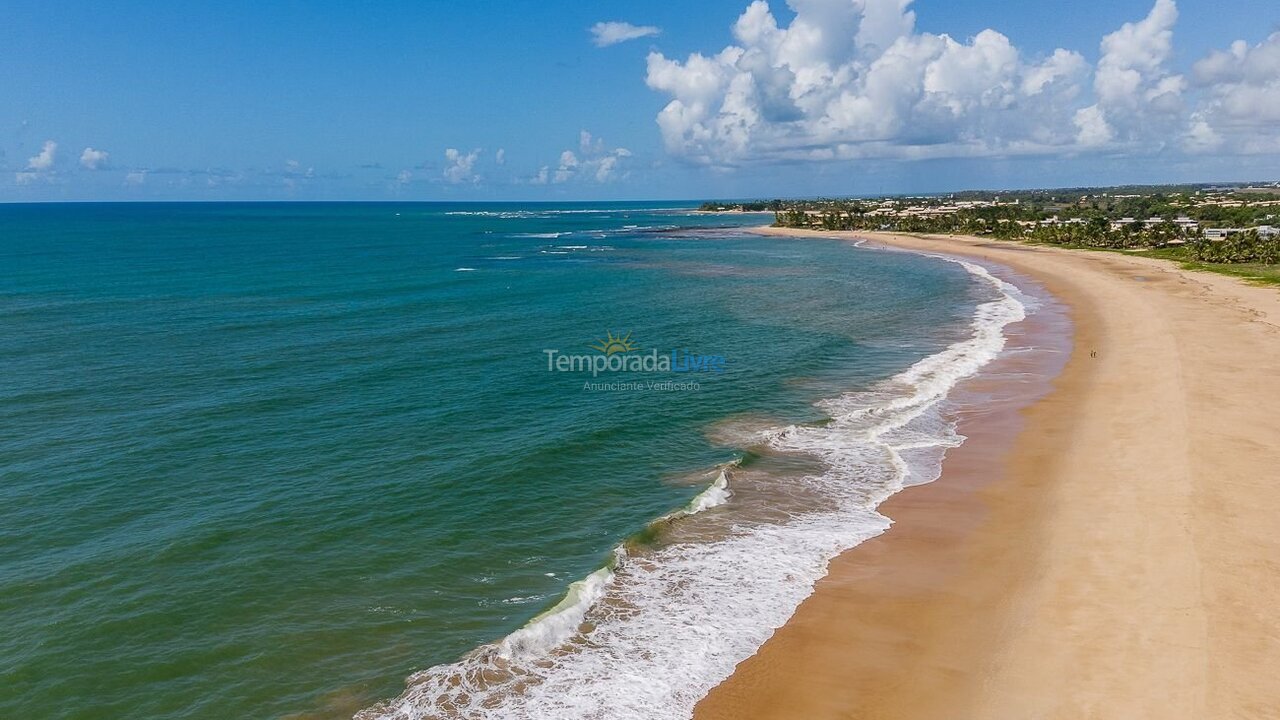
(606,101)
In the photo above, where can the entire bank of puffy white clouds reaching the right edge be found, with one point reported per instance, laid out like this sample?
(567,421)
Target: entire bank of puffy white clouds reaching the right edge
(854,80)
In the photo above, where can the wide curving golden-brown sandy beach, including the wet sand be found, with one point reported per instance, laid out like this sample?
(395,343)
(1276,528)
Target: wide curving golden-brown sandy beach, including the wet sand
(1108,552)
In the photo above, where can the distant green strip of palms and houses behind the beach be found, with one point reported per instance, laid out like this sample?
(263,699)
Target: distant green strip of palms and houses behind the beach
(1209,224)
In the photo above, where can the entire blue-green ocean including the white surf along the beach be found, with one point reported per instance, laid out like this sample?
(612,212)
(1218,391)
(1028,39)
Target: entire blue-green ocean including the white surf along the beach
(444,461)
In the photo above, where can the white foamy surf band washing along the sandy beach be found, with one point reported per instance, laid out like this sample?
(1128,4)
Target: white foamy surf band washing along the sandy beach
(650,636)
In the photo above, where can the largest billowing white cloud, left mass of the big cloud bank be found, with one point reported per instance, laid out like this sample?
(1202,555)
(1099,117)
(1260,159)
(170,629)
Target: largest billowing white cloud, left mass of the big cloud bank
(853,79)
